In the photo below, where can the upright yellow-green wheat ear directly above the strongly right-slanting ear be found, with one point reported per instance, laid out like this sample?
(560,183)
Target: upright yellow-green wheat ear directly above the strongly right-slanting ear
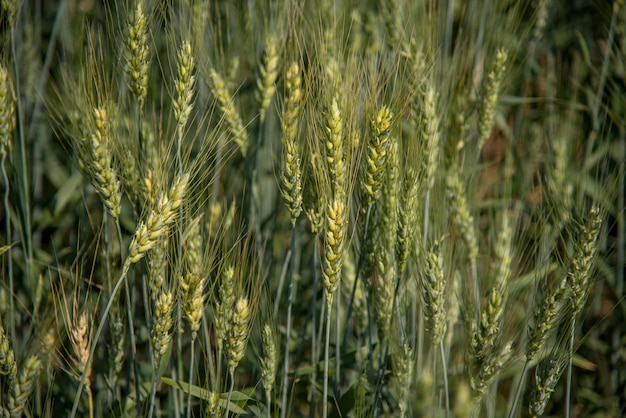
(184,86)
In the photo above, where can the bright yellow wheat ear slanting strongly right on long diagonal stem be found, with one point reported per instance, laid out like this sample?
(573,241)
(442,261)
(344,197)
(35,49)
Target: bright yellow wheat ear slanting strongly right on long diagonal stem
(156,226)
